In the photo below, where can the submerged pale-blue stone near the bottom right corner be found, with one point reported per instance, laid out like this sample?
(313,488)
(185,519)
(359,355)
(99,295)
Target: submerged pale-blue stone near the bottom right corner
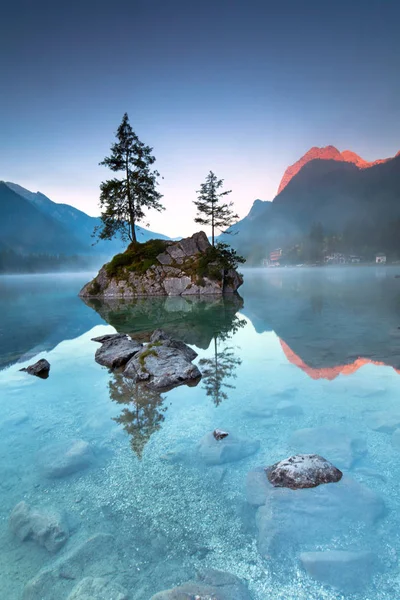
(348,571)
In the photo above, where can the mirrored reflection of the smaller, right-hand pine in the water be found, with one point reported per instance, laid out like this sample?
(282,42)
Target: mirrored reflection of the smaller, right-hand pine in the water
(219,370)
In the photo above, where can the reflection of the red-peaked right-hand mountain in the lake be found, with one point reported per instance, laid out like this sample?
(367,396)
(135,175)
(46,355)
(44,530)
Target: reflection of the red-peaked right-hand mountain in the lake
(330,321)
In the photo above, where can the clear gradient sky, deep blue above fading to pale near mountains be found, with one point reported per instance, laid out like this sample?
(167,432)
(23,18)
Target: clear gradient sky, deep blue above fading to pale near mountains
(243,88)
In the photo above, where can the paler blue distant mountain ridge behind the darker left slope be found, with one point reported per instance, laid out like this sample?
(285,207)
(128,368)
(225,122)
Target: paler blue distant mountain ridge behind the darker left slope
(79,224)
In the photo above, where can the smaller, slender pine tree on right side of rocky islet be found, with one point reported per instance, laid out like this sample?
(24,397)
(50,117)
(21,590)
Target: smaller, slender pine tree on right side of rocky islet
(210,210)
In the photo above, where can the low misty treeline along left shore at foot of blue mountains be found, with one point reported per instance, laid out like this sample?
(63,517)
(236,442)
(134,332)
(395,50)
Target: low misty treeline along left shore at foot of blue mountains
(11,262)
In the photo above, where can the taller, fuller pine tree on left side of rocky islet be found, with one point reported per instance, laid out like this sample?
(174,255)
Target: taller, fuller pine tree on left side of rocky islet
(123,201)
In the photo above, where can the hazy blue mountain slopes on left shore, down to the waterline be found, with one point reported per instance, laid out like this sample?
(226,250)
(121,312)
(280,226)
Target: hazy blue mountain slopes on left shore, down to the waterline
(37,234)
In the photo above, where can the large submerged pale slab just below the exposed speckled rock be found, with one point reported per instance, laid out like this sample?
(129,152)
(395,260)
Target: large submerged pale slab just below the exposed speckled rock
(312,516)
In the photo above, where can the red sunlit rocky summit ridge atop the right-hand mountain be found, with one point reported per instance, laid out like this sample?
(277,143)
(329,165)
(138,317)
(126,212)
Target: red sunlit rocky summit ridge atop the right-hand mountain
(326,153)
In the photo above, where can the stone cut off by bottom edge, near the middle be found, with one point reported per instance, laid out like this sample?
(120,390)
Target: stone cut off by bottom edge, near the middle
(210,585)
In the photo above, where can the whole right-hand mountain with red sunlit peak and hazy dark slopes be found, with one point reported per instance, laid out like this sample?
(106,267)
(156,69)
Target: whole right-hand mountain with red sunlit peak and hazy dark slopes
(357,207)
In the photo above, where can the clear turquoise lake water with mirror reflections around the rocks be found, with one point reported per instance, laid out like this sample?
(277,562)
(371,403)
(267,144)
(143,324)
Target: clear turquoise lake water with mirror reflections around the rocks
(309,349)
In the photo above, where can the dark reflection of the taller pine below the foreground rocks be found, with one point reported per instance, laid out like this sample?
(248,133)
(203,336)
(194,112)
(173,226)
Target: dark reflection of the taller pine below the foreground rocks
(144,413)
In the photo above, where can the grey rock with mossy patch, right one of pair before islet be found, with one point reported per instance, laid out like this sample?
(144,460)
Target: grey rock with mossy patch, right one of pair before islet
(162,367)
